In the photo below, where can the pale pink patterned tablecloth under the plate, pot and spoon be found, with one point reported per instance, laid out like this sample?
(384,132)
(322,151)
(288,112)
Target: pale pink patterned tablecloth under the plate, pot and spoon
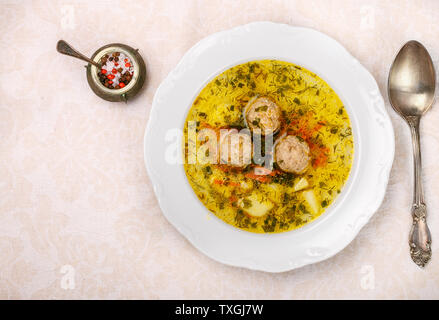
(78,217)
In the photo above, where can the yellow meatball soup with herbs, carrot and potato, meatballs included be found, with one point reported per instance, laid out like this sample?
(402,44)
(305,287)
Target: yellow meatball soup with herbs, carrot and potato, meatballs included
(306,166)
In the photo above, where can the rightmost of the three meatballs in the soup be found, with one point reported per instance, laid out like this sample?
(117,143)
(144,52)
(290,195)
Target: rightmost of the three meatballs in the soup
(291,154)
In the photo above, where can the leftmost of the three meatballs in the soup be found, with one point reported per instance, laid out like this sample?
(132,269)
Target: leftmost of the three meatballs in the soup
(235,149)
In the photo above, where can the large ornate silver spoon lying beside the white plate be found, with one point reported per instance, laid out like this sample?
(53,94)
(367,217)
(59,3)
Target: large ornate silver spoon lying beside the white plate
(411,88)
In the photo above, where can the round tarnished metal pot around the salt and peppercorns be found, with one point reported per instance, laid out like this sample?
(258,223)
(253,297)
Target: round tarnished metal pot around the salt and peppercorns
(132,88)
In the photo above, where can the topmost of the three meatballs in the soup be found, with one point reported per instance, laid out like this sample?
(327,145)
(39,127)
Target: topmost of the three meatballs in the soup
(263,116)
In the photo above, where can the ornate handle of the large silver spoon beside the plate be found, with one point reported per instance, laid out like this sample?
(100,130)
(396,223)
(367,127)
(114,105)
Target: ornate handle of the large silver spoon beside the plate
(419,238)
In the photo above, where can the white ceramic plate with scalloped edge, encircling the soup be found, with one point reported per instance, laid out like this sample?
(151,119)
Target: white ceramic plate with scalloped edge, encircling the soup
(372,131)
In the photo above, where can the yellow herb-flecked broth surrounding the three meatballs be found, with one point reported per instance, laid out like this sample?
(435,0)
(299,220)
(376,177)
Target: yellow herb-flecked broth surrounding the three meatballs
(311,110)
